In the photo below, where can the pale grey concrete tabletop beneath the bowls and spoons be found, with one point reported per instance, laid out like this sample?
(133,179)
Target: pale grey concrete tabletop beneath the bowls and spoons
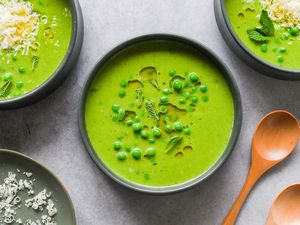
(54,137)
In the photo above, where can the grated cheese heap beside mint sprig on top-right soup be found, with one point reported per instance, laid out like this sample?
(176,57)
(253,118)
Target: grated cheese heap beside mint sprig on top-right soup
(284,12)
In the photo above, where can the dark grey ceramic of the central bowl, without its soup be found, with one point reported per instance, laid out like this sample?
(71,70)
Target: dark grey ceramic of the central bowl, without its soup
(204,51)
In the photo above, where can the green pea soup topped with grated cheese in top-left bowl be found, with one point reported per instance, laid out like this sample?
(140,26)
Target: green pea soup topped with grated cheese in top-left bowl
(25,65)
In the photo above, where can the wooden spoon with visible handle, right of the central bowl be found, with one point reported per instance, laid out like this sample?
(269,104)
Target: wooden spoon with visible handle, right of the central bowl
(274,139)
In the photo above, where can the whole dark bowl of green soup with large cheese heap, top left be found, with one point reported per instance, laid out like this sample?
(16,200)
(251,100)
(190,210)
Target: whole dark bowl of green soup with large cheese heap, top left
(40,41)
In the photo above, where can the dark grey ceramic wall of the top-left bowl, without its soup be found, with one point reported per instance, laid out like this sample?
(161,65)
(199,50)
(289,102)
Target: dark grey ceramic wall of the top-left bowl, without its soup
(63,69)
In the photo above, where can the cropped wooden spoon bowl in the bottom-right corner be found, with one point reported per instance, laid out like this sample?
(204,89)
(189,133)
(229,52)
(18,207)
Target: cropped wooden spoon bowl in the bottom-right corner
(286,208)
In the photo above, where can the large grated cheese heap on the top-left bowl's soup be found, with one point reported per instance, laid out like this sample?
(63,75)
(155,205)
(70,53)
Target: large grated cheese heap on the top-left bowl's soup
(18,25)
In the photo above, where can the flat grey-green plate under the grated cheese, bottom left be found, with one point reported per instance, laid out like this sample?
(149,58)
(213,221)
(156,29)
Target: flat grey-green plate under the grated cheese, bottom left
(10,161)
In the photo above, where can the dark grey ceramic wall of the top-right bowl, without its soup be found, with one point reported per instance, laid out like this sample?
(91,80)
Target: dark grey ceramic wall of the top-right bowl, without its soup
(242,51)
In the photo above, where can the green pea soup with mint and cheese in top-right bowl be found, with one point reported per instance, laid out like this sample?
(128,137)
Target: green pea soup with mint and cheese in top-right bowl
(281,47)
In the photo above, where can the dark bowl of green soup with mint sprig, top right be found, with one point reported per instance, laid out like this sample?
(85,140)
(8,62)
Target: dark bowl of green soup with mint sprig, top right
(264,33)
